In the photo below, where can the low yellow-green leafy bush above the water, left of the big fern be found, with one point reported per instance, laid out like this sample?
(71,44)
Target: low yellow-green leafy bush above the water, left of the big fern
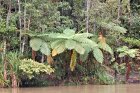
(30,68)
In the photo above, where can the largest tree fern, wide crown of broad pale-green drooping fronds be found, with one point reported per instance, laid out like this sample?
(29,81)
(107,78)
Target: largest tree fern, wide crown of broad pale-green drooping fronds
(70,40)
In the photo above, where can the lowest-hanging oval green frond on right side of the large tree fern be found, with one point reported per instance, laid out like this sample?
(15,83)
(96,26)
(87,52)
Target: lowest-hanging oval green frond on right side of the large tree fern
(98,55)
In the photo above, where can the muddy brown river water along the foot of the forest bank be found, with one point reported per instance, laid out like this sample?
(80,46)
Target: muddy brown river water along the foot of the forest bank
(78,89)
